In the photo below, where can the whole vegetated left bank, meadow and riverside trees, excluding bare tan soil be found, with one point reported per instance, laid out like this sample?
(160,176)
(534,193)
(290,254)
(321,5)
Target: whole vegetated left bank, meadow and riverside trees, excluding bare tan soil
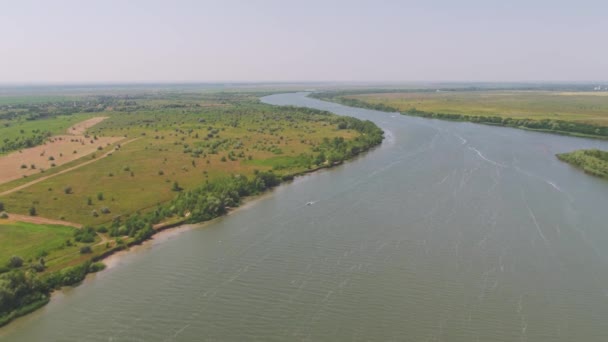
(183,158)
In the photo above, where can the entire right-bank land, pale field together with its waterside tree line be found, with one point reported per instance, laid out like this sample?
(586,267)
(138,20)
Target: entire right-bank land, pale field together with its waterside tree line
(572,113)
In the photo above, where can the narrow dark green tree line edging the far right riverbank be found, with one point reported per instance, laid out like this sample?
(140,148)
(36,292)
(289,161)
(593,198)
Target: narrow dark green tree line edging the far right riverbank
(545,125)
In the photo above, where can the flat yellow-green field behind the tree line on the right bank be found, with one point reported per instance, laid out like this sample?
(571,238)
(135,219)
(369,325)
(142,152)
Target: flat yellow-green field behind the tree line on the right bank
(581,107)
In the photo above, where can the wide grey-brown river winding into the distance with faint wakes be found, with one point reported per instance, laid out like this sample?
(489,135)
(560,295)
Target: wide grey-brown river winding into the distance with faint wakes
(448,231)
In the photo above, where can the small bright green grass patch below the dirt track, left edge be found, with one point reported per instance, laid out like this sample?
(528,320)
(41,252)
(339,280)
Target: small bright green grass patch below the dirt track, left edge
(32,241)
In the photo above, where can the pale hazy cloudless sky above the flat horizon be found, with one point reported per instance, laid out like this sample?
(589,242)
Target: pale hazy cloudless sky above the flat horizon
(307,40)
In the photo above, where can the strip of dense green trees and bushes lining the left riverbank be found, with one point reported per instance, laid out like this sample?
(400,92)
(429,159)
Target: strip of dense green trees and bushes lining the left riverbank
(204,203)
